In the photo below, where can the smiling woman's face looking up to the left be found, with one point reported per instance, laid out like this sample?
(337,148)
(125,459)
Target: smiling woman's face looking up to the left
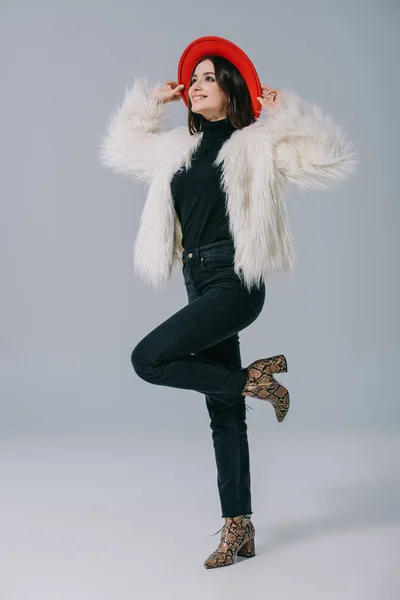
(213,103)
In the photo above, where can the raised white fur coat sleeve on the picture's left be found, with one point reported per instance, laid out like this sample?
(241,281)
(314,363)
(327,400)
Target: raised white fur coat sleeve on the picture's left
(133,143)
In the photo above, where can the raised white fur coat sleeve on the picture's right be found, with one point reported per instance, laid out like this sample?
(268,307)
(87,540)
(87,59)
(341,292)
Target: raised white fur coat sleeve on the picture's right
(310,149)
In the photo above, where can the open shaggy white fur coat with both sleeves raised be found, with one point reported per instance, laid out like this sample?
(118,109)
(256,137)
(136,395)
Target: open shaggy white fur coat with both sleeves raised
(297,144)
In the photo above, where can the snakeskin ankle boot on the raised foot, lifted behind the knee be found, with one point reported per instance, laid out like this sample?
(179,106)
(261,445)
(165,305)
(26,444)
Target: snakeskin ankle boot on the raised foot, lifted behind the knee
(261,383)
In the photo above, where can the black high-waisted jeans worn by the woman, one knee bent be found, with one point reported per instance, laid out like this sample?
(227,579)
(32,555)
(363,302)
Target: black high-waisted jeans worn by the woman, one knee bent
(197,348)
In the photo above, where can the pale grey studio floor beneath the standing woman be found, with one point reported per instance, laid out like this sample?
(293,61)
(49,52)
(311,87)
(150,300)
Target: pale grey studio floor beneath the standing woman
(87,517)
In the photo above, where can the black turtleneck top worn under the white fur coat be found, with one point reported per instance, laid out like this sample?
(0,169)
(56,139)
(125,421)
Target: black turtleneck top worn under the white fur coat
(197,193)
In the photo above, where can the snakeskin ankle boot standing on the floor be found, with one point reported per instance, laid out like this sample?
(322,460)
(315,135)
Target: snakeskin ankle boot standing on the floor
(237,539)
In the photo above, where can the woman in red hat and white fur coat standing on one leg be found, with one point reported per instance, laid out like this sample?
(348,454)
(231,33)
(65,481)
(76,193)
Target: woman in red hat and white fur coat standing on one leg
(215,206)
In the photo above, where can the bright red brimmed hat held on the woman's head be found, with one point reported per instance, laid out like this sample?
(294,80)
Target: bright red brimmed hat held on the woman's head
(218,46)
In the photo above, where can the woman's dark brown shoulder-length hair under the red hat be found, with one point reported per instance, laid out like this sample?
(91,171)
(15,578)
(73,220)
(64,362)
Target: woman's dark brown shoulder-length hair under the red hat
(239,110)
